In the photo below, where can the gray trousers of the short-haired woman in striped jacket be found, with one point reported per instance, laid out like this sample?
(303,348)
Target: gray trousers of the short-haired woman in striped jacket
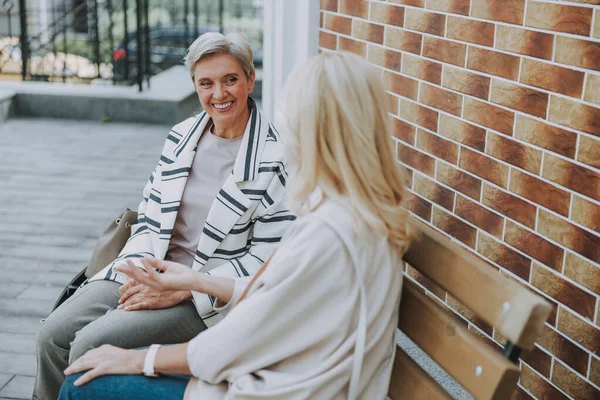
(90,319)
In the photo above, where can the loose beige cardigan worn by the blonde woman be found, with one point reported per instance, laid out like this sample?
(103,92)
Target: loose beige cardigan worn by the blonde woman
(293,336)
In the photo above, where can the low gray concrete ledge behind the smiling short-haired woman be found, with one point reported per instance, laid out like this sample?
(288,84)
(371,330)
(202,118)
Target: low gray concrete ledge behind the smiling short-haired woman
(169,99)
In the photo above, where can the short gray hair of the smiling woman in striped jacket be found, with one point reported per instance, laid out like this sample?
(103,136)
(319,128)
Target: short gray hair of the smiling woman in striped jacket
(214,43)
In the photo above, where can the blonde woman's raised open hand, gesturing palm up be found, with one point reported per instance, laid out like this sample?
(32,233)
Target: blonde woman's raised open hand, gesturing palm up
(175,276)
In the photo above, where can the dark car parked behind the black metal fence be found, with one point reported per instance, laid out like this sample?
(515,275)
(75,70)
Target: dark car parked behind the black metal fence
(167,49)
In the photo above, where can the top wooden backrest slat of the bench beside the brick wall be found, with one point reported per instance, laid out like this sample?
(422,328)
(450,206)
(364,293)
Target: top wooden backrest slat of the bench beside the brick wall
(518,314)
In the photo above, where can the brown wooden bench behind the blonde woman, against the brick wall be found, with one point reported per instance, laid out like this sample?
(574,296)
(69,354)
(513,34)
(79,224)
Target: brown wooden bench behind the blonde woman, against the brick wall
(515,312)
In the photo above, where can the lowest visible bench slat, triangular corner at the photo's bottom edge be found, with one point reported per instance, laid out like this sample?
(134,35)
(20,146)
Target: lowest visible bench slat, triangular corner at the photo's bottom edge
(410,381)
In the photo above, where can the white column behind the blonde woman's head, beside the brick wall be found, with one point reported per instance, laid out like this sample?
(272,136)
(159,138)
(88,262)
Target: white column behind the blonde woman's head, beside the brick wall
(291,35)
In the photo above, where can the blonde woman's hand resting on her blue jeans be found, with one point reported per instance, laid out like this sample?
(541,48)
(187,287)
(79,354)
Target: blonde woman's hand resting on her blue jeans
(107,360)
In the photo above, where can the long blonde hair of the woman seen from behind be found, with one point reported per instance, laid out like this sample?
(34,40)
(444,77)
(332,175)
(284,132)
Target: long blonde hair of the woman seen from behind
(336,111)
